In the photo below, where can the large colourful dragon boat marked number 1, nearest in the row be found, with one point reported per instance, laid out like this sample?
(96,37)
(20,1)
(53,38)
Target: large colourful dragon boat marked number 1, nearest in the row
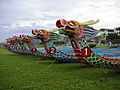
(81,47)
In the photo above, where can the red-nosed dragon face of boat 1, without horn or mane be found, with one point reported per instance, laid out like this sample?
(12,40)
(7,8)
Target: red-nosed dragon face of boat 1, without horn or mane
(69,28)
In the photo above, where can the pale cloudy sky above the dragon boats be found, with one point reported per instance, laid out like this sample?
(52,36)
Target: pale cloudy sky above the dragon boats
(21,16)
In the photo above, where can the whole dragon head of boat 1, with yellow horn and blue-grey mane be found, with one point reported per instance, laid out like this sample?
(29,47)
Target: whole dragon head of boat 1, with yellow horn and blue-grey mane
(75,29)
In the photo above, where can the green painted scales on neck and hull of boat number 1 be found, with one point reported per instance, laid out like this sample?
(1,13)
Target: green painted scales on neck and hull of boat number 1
(97,60)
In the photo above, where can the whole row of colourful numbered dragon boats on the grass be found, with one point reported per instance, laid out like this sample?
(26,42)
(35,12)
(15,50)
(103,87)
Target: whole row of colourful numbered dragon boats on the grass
(80,51)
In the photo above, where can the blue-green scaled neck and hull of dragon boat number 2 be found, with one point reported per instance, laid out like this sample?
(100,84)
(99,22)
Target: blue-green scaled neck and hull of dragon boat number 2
(58,55)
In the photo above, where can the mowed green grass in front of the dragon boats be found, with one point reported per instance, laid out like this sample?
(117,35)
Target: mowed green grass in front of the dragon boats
(24,72)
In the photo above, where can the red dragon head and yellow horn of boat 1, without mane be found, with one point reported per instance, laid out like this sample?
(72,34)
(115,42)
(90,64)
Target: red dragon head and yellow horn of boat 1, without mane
(73,28)
